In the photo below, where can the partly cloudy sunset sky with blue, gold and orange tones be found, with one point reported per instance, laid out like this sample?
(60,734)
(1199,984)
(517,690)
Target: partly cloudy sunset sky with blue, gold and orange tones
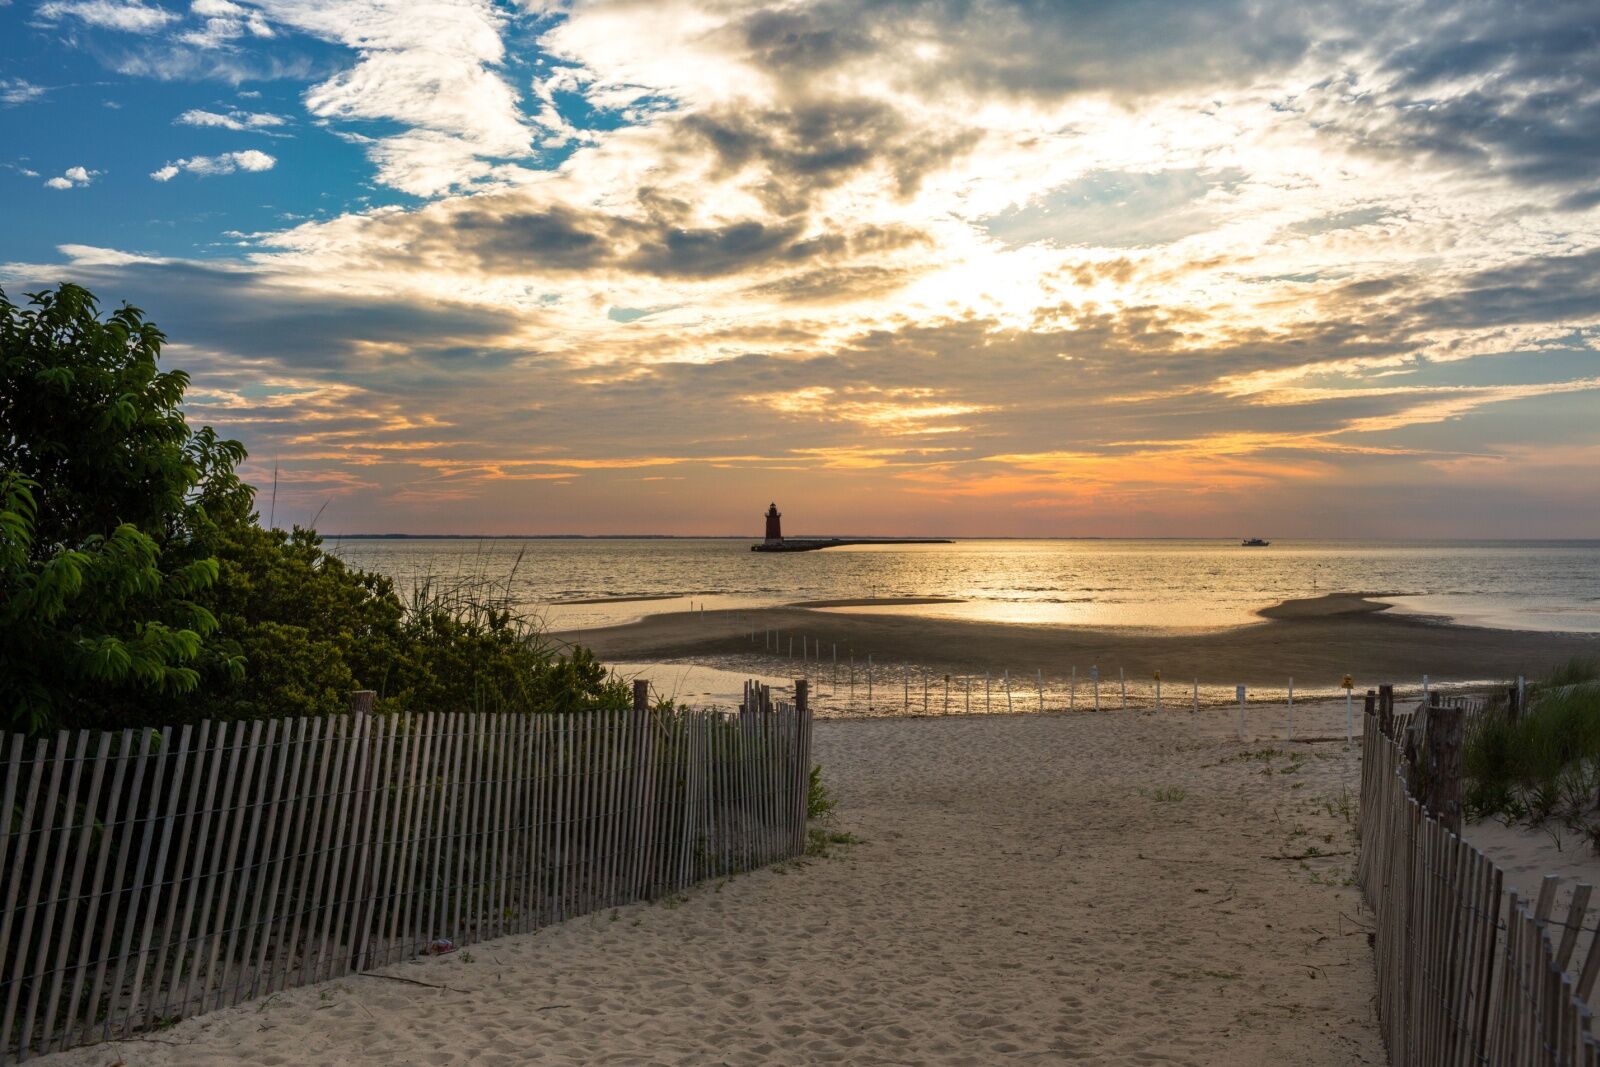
(1017,268)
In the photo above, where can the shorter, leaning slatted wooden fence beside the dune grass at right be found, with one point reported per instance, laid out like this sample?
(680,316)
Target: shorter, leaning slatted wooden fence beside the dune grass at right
(1468,973)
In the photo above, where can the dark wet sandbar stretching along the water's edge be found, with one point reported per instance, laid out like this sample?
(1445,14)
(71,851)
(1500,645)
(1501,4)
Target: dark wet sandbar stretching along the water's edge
(1318,639)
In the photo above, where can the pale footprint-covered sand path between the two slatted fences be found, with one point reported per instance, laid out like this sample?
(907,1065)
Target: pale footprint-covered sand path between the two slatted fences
(1065,889)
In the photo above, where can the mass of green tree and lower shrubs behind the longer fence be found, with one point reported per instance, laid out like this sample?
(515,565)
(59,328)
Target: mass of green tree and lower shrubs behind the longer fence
(138,588)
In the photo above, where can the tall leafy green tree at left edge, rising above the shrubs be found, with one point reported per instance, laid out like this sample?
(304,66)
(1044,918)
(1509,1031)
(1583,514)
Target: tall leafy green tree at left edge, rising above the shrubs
(105,530)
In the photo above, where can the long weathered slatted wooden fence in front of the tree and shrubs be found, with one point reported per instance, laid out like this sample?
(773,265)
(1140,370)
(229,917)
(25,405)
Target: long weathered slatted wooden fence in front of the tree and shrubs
(158,874)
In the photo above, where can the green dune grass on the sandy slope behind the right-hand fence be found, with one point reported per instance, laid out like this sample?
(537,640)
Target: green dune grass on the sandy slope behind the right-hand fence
(1545,764)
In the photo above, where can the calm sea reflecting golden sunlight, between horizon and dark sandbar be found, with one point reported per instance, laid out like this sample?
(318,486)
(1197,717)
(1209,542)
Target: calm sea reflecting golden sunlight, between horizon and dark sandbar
(1519,585)
